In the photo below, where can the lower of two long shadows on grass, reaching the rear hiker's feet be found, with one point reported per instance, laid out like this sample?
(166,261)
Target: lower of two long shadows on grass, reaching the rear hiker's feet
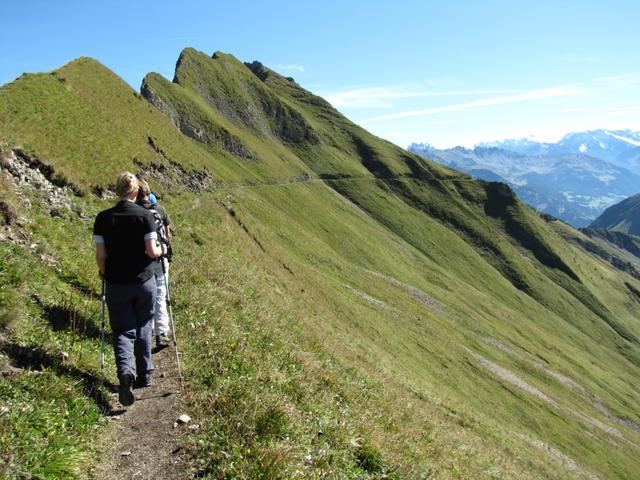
(36,359)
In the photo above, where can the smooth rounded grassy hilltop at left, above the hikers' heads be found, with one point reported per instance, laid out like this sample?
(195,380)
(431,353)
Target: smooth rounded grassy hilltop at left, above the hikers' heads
(72,114)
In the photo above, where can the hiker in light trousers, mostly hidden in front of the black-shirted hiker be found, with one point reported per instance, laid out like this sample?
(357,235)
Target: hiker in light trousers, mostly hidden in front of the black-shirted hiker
(162,221)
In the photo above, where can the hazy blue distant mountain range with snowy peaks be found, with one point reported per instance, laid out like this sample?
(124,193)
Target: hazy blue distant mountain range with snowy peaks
(574,179)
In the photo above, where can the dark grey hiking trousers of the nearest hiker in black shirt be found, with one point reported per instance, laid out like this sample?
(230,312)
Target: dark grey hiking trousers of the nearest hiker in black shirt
(131,309)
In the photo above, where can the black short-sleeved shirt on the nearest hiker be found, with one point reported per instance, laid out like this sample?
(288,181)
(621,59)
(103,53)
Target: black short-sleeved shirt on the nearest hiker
(124,229)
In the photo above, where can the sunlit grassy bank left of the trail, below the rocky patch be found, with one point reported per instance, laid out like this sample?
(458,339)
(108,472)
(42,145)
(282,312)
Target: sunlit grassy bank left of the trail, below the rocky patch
(53,425)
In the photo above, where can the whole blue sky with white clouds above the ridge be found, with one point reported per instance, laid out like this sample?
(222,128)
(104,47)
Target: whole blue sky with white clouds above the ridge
(448,73)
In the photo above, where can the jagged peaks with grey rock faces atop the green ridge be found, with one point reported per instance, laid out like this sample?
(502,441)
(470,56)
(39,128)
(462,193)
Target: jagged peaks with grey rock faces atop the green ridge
(224,94)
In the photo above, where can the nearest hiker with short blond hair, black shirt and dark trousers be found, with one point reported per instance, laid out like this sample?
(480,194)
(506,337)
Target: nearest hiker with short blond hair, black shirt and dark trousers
(126,248)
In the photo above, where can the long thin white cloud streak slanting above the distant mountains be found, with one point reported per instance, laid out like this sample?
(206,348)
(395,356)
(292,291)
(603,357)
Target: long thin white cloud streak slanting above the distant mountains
(561,91)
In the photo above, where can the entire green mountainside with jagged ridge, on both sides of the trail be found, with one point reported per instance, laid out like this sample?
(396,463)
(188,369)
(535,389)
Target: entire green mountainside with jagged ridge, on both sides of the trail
(347,309)
